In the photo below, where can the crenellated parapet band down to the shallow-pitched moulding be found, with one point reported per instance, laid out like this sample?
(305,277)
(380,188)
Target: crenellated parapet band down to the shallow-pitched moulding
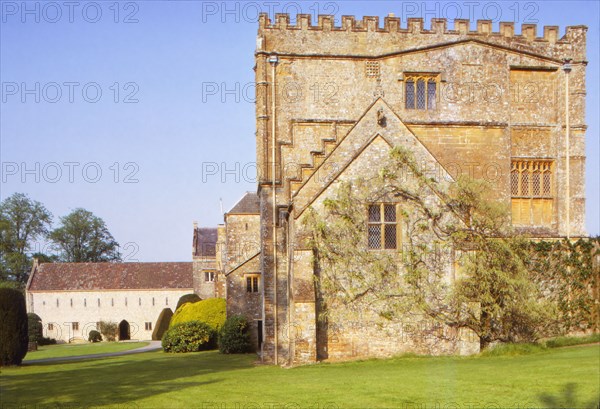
(546,42)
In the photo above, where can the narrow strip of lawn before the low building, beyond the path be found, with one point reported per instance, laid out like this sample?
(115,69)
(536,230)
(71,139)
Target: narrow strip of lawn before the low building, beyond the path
(61,350)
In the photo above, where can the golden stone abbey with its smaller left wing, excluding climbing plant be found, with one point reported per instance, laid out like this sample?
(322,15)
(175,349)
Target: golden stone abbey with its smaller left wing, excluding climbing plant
(333,100)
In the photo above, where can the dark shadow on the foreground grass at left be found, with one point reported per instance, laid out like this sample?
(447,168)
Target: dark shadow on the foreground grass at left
(114,381)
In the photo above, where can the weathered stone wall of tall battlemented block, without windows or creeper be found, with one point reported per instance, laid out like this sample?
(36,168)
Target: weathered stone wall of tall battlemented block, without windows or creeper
(500,96)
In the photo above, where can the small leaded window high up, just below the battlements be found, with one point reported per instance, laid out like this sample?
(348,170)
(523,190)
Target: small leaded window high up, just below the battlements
(429,90)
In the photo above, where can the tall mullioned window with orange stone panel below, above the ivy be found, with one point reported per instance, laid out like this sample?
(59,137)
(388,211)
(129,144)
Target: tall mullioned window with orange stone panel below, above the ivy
(532,191)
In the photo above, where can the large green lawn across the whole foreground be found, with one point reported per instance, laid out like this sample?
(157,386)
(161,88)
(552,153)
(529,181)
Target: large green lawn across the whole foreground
(210,380)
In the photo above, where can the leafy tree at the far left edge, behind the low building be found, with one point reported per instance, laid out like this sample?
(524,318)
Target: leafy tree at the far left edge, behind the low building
(23,222)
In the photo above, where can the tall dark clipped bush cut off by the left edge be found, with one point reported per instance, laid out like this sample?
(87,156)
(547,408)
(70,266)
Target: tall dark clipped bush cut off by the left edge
(13,327)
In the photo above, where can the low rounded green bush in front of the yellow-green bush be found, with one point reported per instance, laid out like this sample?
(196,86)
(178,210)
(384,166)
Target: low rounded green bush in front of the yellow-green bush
(192,336)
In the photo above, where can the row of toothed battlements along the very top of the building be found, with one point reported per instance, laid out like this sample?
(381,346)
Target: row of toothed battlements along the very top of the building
(326,23)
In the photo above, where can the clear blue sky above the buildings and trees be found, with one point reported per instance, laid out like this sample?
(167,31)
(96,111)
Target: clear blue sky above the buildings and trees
(142,111)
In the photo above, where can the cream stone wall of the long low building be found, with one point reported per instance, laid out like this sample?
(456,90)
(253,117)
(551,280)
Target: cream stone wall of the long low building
(62,308)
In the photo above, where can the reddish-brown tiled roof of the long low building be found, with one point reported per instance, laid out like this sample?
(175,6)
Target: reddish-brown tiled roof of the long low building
(111,276)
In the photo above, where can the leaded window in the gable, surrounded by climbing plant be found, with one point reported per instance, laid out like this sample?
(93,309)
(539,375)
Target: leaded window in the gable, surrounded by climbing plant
(381,223)
